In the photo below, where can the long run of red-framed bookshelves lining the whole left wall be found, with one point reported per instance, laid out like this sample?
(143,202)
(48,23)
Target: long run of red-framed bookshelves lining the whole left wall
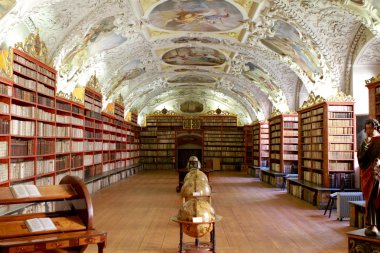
(44,137)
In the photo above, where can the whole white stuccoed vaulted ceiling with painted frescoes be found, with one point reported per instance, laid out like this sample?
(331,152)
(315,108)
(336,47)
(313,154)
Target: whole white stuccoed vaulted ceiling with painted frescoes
(192,56)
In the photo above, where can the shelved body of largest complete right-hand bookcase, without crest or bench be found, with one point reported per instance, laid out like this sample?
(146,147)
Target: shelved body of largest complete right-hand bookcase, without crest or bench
(327,137)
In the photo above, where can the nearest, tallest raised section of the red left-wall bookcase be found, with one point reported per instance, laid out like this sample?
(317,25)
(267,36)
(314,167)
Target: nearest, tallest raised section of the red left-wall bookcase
(32,121)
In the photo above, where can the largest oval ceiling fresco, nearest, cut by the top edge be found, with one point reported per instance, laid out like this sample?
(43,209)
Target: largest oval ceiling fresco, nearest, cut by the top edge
(196,15)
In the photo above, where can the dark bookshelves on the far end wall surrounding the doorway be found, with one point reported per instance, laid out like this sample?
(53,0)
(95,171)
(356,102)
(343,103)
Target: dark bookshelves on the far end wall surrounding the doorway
(222,140)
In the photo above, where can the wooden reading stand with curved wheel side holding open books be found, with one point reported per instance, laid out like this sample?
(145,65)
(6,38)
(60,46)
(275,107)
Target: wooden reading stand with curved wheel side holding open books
(70,208)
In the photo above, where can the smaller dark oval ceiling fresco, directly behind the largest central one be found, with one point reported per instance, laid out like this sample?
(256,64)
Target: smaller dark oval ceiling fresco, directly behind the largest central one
(194,56)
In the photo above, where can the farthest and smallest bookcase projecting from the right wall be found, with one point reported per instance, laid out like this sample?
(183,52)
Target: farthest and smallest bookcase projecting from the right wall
(260,144)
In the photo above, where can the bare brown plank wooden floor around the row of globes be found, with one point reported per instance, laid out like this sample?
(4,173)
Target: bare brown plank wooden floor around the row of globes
(256,217)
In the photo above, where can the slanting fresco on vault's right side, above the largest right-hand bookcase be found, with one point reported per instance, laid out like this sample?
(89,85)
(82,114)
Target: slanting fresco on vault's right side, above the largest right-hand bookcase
(287,42)
